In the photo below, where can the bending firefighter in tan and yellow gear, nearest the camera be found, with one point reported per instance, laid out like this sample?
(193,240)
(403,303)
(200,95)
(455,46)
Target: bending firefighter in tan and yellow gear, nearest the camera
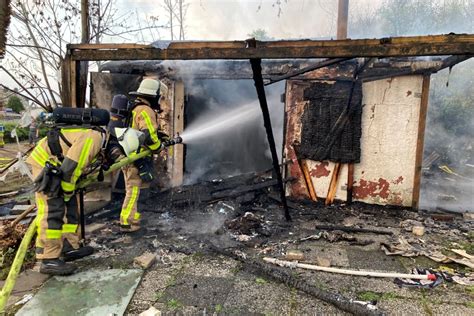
(56,176)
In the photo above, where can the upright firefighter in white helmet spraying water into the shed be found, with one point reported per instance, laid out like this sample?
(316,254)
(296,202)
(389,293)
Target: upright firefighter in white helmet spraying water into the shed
(144,117)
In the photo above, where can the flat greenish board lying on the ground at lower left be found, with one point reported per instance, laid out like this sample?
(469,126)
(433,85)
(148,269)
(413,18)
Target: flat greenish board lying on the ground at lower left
(93,292)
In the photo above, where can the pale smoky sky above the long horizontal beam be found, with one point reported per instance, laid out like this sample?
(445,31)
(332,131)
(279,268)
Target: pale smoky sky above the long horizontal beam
(235,19)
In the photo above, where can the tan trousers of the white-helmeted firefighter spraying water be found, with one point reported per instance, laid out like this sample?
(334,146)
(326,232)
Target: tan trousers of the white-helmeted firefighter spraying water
(129,214)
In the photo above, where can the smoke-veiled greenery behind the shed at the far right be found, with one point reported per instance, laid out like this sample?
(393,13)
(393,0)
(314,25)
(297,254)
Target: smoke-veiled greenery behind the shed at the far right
(450,127)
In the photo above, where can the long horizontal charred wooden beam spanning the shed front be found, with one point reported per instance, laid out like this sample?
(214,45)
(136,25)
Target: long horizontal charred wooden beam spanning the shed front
(451,44)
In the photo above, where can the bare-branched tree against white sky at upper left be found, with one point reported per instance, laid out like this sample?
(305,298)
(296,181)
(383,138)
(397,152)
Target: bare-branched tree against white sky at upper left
(39,33)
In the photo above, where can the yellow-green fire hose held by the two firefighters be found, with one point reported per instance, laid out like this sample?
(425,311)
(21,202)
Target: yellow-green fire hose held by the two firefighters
(94,177)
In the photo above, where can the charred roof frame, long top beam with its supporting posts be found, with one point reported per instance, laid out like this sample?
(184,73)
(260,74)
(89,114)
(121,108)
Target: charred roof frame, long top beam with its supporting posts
(255,51)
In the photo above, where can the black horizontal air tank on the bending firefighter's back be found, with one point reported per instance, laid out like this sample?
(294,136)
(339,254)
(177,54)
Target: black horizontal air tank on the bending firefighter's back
(80,116)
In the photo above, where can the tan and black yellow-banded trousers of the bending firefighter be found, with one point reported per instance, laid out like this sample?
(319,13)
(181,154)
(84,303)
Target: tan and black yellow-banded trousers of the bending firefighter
(57,220)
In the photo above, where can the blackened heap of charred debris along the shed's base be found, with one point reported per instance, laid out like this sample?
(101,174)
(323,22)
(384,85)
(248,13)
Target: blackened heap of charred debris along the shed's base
(245,212)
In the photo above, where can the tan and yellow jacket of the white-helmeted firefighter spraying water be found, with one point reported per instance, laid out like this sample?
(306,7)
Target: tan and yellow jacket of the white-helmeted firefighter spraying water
(145,119)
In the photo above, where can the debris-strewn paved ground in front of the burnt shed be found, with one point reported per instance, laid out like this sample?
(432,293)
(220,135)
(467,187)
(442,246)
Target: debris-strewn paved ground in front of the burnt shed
(194,233)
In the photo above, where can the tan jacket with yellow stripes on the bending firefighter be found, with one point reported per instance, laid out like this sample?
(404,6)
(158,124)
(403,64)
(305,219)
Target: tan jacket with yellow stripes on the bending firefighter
(85,145)
